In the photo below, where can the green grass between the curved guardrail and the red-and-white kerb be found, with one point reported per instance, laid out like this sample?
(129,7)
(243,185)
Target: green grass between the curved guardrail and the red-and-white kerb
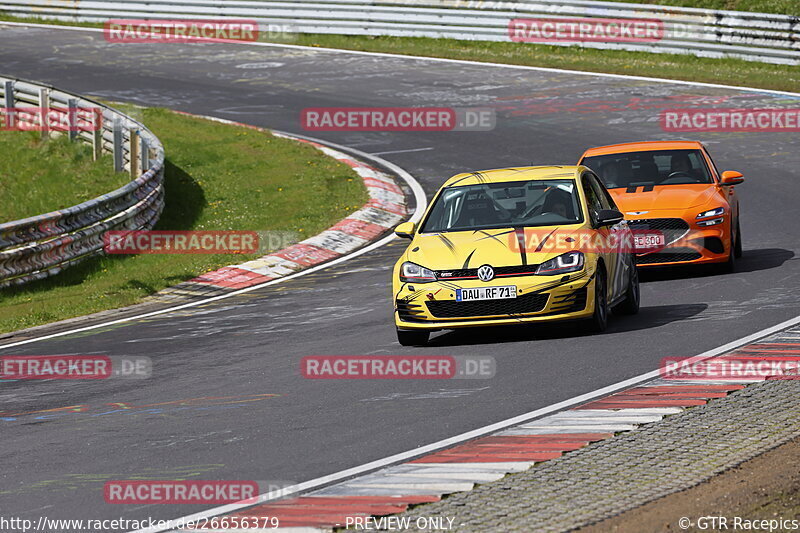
(218,177)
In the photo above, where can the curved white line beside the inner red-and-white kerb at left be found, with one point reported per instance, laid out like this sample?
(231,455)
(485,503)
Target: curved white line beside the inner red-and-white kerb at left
(419,199)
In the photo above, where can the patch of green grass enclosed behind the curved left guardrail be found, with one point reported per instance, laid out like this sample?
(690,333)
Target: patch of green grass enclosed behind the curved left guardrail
(38,176)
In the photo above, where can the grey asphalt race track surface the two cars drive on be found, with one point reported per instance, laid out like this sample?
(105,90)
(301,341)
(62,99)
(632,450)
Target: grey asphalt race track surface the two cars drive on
(275,425)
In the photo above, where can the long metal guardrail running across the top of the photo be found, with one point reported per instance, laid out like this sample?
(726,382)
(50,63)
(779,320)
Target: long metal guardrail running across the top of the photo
(753,36)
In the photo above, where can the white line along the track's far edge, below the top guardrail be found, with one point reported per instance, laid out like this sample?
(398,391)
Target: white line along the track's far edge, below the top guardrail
(455,61)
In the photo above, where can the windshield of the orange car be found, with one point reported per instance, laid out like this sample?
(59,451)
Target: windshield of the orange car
(657,167)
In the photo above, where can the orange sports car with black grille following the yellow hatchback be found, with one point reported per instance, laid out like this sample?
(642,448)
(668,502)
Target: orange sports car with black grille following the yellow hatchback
(680,208)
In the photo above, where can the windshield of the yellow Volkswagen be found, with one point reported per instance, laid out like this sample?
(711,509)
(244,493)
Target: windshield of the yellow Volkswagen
(503,205)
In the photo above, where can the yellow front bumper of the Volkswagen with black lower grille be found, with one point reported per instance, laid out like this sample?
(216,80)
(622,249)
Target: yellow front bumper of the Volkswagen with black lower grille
(432,306)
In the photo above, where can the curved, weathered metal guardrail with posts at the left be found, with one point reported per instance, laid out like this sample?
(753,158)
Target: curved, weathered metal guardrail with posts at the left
(44,245)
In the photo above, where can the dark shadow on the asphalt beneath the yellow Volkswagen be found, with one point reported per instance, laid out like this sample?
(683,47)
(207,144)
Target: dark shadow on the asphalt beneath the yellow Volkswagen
(648,317)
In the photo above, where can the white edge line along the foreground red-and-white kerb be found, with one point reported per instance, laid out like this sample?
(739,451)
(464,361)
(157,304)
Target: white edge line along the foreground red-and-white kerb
(491,428)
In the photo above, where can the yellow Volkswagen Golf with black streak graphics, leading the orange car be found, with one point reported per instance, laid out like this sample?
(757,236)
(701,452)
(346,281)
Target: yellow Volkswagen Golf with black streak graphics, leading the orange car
(514,246)
